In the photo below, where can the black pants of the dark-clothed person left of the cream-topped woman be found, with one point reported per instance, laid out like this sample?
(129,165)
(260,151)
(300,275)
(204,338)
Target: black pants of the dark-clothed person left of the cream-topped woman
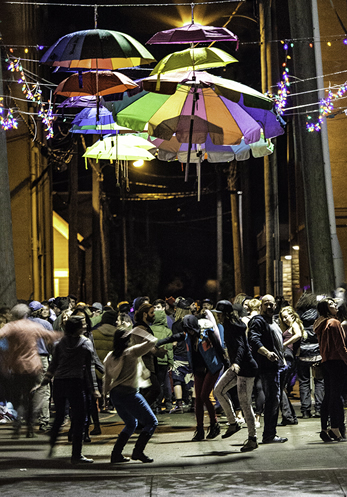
(72,390)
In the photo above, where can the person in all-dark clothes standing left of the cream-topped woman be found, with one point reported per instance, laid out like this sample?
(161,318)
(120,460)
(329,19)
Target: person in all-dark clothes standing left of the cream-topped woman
(71,368)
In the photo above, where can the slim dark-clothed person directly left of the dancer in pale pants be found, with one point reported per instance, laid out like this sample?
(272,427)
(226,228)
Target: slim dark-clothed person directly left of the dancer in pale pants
(205,355)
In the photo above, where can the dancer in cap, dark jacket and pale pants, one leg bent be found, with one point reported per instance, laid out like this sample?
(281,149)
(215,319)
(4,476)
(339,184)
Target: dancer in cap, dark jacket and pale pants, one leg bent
(242,372)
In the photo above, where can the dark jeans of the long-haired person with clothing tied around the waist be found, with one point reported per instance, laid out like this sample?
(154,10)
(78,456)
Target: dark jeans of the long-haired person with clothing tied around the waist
(304,376)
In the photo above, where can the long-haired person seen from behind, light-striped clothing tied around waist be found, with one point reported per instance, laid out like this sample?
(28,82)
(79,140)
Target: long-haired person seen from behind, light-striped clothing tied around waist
(309,357)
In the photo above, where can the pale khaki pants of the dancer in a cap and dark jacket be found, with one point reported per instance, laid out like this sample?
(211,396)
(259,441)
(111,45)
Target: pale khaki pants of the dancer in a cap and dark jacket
(244,389)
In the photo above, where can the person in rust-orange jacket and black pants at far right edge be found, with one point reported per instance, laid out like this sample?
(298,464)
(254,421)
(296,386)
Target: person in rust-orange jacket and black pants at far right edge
(332,343)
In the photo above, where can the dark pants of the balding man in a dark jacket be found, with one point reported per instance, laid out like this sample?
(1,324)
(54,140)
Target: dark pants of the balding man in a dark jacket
(272,390)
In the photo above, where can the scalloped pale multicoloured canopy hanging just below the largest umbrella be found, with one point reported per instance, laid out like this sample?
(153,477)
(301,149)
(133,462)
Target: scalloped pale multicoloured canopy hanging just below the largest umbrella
(173,149)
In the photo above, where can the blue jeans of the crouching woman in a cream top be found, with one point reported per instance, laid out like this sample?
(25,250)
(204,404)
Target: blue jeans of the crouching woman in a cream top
(133,407)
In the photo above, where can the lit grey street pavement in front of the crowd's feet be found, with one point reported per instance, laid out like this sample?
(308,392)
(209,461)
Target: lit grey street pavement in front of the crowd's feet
(303,466)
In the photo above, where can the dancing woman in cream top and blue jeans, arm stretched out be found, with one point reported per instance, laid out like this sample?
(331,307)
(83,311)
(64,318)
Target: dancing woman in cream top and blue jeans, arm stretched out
(125,373)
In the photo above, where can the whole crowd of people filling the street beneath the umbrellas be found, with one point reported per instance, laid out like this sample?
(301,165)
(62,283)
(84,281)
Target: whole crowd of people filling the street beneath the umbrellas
(239,358)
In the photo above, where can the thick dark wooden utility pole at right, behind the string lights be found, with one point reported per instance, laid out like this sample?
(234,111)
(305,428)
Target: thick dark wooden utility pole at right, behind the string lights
(309,153)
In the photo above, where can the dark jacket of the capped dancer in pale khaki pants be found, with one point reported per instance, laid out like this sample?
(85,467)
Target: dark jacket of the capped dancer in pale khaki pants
(238,348)
